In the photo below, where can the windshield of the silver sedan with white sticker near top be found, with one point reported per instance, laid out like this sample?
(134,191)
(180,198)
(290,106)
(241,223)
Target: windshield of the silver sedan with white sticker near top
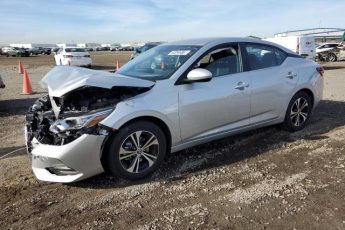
(159,62)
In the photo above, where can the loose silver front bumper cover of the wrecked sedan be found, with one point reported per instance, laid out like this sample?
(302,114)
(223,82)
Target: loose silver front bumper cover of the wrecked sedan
(72,162)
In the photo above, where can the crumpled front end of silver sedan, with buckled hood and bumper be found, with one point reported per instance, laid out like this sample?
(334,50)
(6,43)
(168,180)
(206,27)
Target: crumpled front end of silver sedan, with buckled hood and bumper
(63,132)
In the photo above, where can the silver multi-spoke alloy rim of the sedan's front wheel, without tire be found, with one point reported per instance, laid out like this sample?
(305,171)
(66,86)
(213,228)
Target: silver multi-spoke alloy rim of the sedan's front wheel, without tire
(139,151)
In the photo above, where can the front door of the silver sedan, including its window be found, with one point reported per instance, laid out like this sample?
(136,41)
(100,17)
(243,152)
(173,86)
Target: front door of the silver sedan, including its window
(220,105)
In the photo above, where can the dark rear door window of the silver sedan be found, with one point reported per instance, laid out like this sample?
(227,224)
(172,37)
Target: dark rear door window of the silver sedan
(261,56)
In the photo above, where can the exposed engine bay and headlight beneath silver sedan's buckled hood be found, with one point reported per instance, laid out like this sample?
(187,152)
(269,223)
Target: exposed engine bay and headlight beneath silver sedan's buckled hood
(60,120)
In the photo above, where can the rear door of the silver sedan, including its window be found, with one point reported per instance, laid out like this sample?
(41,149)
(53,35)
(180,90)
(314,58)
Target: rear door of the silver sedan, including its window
(273,79)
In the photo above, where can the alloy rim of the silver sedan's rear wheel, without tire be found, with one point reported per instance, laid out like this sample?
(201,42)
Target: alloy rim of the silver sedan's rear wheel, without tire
(299,112)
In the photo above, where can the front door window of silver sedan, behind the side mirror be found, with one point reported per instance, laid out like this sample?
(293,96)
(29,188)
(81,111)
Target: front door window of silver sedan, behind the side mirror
(222,61)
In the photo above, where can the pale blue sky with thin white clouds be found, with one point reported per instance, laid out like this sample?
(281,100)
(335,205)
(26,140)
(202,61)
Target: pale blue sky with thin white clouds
(105,21)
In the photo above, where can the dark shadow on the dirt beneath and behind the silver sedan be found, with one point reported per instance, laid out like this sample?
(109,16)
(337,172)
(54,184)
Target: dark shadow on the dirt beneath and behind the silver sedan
(328,115)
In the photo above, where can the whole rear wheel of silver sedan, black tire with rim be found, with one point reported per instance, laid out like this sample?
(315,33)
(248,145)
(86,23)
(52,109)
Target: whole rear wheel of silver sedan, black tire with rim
(298,113)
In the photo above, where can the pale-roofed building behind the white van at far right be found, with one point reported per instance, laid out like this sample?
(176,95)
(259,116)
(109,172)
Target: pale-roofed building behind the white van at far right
(321,34)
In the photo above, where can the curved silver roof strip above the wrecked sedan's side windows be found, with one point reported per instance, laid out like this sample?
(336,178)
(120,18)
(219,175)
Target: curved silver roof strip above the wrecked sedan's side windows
(220,40)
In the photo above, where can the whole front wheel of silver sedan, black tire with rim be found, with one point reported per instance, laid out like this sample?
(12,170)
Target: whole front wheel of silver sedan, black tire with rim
(135,163)
